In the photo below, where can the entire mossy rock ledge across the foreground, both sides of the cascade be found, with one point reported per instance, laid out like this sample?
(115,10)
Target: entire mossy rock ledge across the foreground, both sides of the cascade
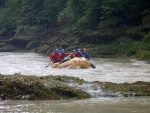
(22,87)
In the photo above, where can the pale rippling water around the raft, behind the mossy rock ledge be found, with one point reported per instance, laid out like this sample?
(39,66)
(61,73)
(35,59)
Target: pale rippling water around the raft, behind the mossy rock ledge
(107,69)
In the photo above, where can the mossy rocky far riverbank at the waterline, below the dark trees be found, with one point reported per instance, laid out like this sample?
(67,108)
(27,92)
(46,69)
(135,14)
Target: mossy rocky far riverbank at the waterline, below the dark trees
(128,48)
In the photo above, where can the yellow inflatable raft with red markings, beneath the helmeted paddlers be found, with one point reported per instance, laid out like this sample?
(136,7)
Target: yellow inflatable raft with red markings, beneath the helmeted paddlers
(73,63)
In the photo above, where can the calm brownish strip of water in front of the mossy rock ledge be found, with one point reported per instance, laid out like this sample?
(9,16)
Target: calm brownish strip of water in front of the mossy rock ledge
(99,105)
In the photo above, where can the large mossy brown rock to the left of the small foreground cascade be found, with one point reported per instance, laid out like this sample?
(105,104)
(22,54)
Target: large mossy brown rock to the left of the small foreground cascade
(34,88)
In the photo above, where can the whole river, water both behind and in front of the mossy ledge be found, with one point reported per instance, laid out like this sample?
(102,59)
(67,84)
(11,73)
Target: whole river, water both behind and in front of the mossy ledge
(115,70)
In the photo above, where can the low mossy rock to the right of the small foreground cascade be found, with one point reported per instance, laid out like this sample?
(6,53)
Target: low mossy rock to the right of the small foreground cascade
(138,88)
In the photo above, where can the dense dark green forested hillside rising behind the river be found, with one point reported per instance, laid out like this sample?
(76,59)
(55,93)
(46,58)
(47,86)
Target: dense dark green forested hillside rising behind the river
(105,27)
